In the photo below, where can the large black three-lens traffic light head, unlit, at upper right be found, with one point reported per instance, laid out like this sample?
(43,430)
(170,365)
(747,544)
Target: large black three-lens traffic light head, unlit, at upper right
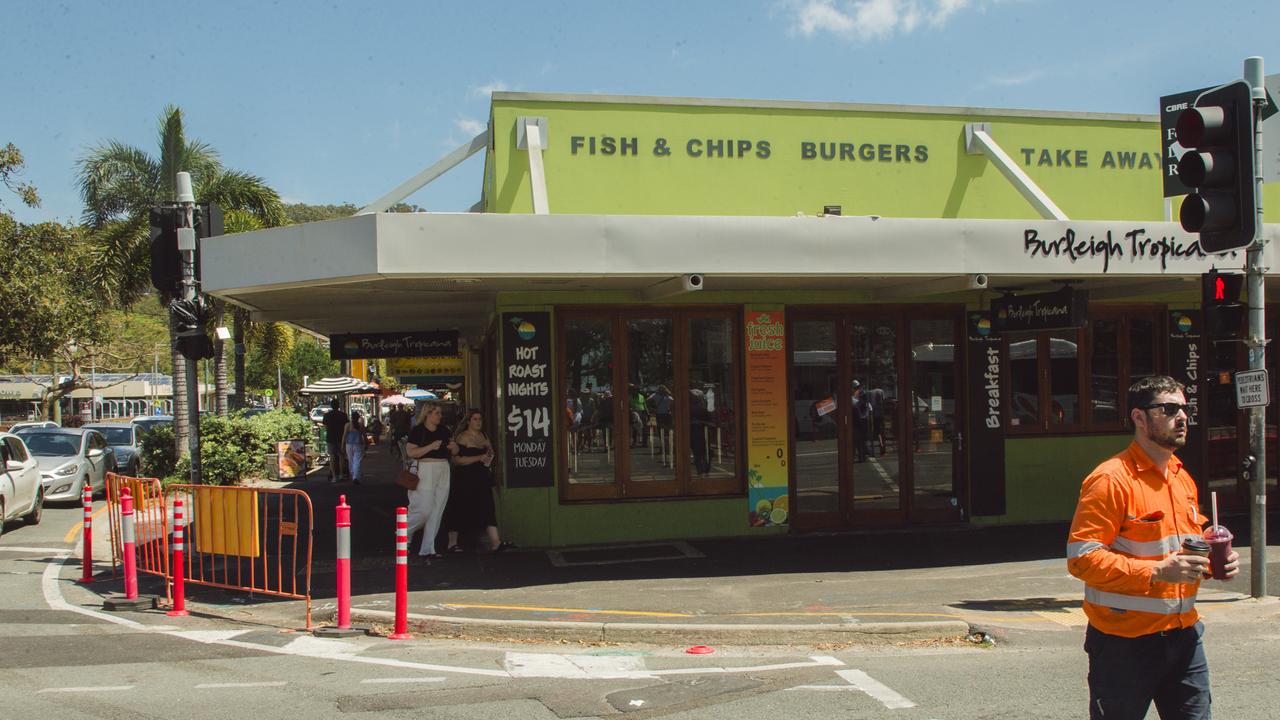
(1218,135)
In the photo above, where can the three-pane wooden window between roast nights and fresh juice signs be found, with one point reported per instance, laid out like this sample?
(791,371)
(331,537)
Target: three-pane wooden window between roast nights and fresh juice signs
(651,400)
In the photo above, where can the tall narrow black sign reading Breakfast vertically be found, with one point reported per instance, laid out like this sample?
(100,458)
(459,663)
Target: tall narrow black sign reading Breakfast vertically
(986,452)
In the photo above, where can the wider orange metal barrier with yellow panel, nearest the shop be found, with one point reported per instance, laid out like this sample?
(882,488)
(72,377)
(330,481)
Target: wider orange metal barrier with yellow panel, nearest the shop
(254,540)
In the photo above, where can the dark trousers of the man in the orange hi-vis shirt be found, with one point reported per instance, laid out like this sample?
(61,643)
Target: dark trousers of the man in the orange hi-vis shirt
(1127,675)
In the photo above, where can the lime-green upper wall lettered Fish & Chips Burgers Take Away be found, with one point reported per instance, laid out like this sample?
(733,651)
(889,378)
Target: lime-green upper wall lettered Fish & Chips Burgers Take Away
(1119,177)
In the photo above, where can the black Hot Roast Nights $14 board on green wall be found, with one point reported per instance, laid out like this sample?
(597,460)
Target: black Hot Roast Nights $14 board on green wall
(527,391)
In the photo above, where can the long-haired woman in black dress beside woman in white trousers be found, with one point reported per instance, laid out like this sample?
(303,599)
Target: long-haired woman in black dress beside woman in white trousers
(472,508)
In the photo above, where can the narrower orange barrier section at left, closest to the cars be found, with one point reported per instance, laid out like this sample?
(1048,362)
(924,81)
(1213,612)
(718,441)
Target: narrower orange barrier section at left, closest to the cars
(152,526)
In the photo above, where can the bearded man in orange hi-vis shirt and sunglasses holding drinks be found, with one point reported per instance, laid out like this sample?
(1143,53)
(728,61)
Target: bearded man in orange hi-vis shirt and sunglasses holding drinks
(1135,513)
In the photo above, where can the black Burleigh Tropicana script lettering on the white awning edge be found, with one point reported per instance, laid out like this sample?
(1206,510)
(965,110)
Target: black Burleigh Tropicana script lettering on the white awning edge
(1112,248)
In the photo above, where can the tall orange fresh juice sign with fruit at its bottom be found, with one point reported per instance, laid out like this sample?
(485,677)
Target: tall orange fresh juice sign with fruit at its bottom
(767,417)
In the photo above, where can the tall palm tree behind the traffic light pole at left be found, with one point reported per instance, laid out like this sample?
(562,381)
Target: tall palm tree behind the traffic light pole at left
(121,184)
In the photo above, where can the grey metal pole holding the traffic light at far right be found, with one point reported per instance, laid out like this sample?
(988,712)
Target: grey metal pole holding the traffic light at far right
(1258,344)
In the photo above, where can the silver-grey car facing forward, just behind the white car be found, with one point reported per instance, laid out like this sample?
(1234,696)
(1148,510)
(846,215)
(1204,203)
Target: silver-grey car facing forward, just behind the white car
(71,461)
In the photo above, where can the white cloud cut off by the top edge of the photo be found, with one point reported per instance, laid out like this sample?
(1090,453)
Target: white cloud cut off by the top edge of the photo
(872,20)
